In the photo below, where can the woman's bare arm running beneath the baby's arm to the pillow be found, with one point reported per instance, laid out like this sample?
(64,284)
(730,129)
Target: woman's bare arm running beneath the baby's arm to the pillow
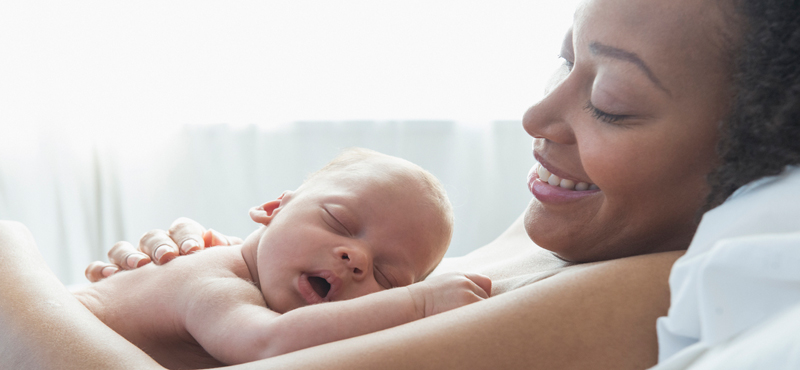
(599,316)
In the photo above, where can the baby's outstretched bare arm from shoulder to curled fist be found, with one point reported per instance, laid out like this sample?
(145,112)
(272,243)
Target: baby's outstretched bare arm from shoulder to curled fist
(240,329)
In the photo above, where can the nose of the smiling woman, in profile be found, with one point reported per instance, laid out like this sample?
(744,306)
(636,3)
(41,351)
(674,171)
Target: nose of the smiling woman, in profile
(550,118)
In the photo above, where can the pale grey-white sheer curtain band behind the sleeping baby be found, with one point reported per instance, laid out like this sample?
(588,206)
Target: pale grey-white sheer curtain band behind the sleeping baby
(81,193)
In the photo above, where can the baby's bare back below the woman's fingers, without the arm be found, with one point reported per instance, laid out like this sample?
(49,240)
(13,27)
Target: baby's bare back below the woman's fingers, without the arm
(159,324)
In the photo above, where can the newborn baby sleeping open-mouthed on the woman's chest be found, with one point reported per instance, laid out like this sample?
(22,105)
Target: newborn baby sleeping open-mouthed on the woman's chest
(365,223)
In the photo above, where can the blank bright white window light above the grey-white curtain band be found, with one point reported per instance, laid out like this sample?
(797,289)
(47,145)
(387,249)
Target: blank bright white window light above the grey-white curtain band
(99,65)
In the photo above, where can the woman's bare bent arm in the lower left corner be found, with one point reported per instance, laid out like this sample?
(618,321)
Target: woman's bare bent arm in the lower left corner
(44,326)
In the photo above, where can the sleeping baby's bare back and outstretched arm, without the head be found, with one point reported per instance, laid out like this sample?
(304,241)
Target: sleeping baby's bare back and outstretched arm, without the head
(195,316)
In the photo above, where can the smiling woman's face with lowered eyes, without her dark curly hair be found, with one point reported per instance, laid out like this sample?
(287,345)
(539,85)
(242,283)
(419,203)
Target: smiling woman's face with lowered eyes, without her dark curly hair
(634,110)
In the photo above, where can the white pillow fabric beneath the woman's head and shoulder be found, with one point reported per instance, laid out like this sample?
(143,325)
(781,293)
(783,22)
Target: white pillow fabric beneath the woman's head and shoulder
(741,269)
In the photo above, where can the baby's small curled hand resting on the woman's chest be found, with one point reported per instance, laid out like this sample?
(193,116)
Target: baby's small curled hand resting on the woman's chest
(448,291)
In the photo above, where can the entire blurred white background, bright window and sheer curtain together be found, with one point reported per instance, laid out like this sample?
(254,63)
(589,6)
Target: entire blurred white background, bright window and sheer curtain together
(117,118)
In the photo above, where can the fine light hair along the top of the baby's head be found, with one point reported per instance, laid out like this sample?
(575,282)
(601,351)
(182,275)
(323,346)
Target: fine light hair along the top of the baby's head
(436,195)
